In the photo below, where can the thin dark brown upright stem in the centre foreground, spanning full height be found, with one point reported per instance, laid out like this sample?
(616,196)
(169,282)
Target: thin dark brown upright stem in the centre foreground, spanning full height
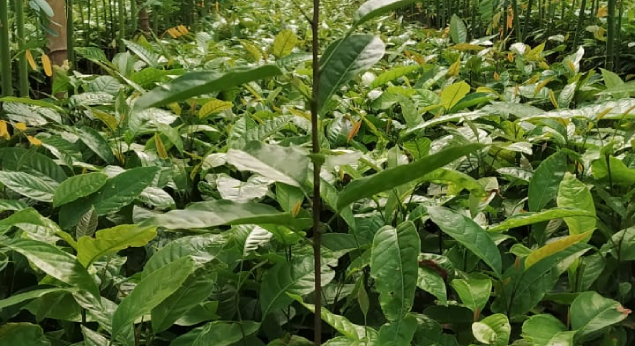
(315,141)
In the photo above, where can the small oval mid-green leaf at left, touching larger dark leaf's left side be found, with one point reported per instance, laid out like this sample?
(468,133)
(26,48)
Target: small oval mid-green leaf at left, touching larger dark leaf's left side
(77,187)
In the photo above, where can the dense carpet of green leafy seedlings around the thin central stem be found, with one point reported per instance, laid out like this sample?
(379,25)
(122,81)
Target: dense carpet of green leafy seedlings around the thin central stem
(475,190)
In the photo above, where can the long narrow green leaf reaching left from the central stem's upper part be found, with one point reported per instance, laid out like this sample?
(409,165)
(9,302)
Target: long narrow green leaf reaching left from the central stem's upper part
(198,83)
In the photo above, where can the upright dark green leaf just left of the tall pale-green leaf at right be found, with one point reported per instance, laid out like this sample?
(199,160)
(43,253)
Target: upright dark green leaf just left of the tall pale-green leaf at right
(543,186)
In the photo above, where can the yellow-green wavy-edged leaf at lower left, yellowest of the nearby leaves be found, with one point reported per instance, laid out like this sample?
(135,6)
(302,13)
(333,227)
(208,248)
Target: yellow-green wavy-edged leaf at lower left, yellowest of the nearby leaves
(111,240)
